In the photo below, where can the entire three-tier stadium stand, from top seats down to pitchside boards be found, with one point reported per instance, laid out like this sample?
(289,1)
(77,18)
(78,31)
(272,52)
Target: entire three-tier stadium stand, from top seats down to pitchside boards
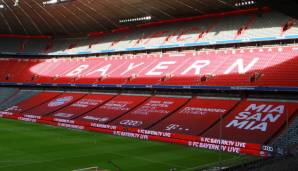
(130,59)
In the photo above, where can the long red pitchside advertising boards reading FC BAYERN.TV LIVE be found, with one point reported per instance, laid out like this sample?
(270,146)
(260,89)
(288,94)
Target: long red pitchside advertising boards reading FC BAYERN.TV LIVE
(202,142)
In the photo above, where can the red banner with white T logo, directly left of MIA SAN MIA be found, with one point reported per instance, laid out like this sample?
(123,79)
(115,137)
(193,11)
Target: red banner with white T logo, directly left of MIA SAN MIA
(197,116)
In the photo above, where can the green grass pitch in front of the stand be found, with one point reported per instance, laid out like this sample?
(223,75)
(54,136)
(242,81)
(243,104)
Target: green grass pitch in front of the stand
(33,147)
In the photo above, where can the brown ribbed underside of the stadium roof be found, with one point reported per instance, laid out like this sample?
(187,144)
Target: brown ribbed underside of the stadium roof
(33,17)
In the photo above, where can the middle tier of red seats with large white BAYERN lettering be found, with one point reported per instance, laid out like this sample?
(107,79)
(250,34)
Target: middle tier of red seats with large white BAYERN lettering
(264,66)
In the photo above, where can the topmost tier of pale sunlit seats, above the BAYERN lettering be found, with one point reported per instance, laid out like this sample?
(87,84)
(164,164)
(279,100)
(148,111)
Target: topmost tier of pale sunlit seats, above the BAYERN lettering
(206,31)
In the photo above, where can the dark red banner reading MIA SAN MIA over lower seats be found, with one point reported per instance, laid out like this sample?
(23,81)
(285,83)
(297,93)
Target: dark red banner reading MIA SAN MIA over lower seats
(254,120)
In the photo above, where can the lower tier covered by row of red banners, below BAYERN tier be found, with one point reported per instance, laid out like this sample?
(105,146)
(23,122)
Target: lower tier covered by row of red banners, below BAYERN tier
(245,120)
